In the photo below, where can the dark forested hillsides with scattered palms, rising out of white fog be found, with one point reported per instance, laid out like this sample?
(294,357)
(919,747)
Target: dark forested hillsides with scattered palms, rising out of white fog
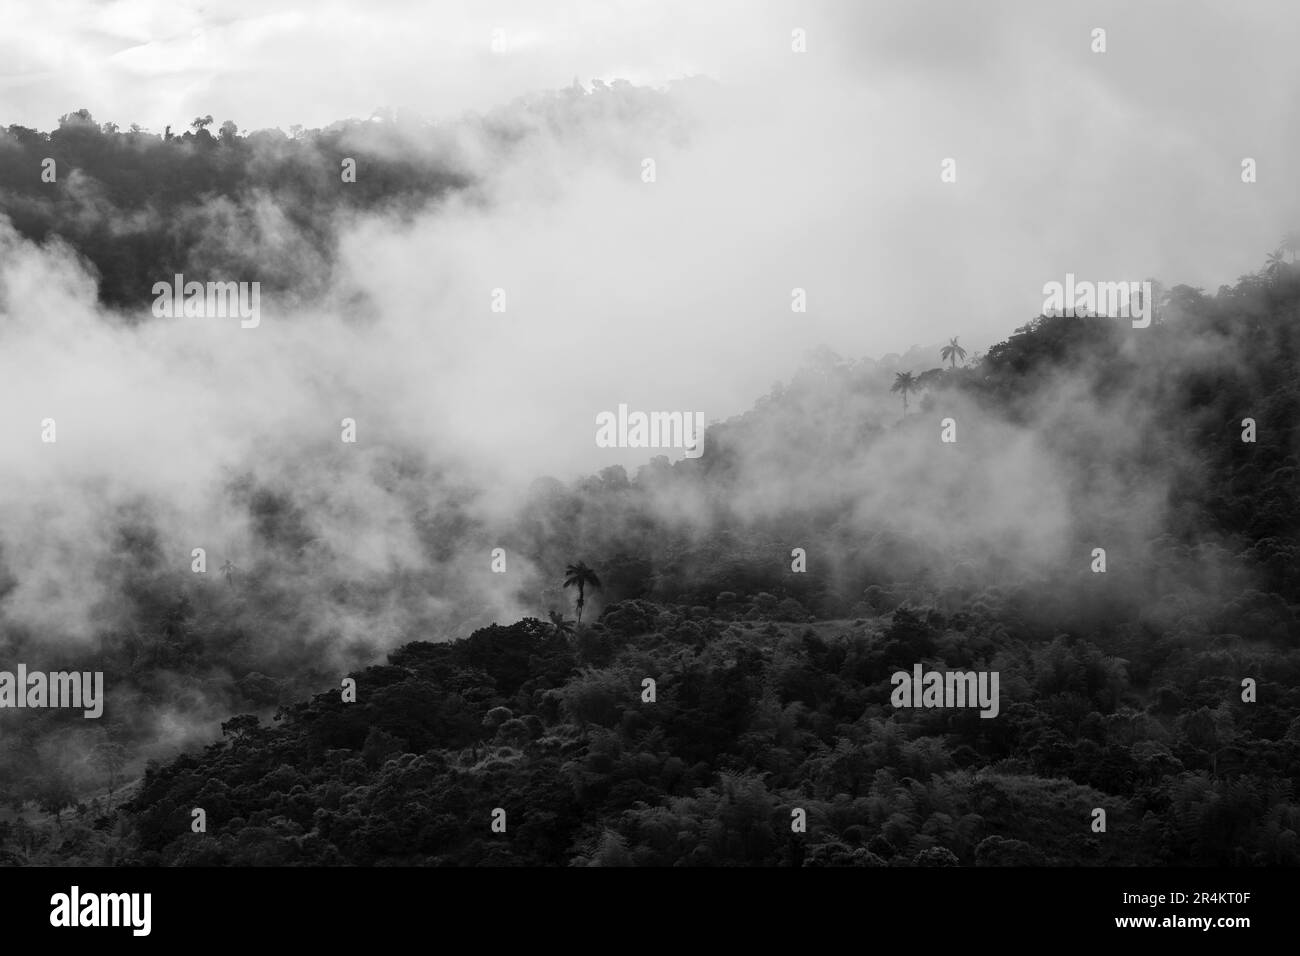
(1120,690)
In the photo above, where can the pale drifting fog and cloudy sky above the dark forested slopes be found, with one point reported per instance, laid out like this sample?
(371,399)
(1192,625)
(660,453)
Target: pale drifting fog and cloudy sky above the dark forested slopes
(774,172)
